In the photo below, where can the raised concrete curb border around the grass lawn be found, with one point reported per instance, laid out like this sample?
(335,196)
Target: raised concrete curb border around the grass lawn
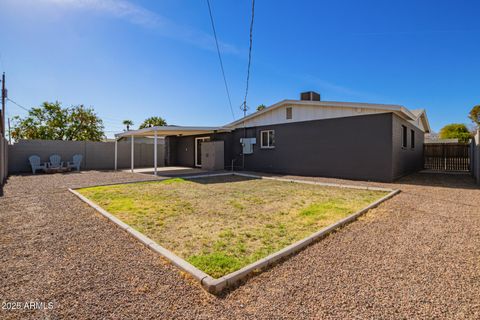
(216,286)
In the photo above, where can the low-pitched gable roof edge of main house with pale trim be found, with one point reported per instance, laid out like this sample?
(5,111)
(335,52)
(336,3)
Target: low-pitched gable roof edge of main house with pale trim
(398,109)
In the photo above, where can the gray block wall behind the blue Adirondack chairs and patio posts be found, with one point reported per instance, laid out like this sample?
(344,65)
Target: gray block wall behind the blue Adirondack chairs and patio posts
(96,155)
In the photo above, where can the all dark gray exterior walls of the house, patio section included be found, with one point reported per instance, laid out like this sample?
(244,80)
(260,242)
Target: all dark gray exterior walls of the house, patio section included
(361,148)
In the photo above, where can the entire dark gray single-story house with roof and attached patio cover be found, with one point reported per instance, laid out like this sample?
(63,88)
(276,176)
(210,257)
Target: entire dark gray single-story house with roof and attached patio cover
(309,137)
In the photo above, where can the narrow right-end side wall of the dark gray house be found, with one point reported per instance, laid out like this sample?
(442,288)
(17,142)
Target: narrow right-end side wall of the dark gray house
(406,160)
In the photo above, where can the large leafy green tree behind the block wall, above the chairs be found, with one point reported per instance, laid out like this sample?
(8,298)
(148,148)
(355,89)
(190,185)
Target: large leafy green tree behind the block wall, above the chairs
(52,122)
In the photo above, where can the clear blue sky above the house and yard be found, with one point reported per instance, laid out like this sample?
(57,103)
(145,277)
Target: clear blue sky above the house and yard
(135,59)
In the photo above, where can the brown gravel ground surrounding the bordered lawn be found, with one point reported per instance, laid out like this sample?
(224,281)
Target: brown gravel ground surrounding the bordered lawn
(415,256)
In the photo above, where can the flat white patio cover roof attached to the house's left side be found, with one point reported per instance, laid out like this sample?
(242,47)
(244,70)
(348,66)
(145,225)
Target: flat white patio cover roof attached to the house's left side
(170,130)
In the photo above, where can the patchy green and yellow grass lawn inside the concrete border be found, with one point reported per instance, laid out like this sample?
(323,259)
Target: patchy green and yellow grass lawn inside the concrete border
(221,224)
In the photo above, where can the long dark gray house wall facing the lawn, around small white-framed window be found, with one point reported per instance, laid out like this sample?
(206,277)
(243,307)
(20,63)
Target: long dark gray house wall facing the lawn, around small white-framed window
(352,147)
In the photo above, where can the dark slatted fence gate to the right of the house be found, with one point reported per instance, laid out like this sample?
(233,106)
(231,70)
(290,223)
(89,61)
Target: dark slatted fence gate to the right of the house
(447,156)
